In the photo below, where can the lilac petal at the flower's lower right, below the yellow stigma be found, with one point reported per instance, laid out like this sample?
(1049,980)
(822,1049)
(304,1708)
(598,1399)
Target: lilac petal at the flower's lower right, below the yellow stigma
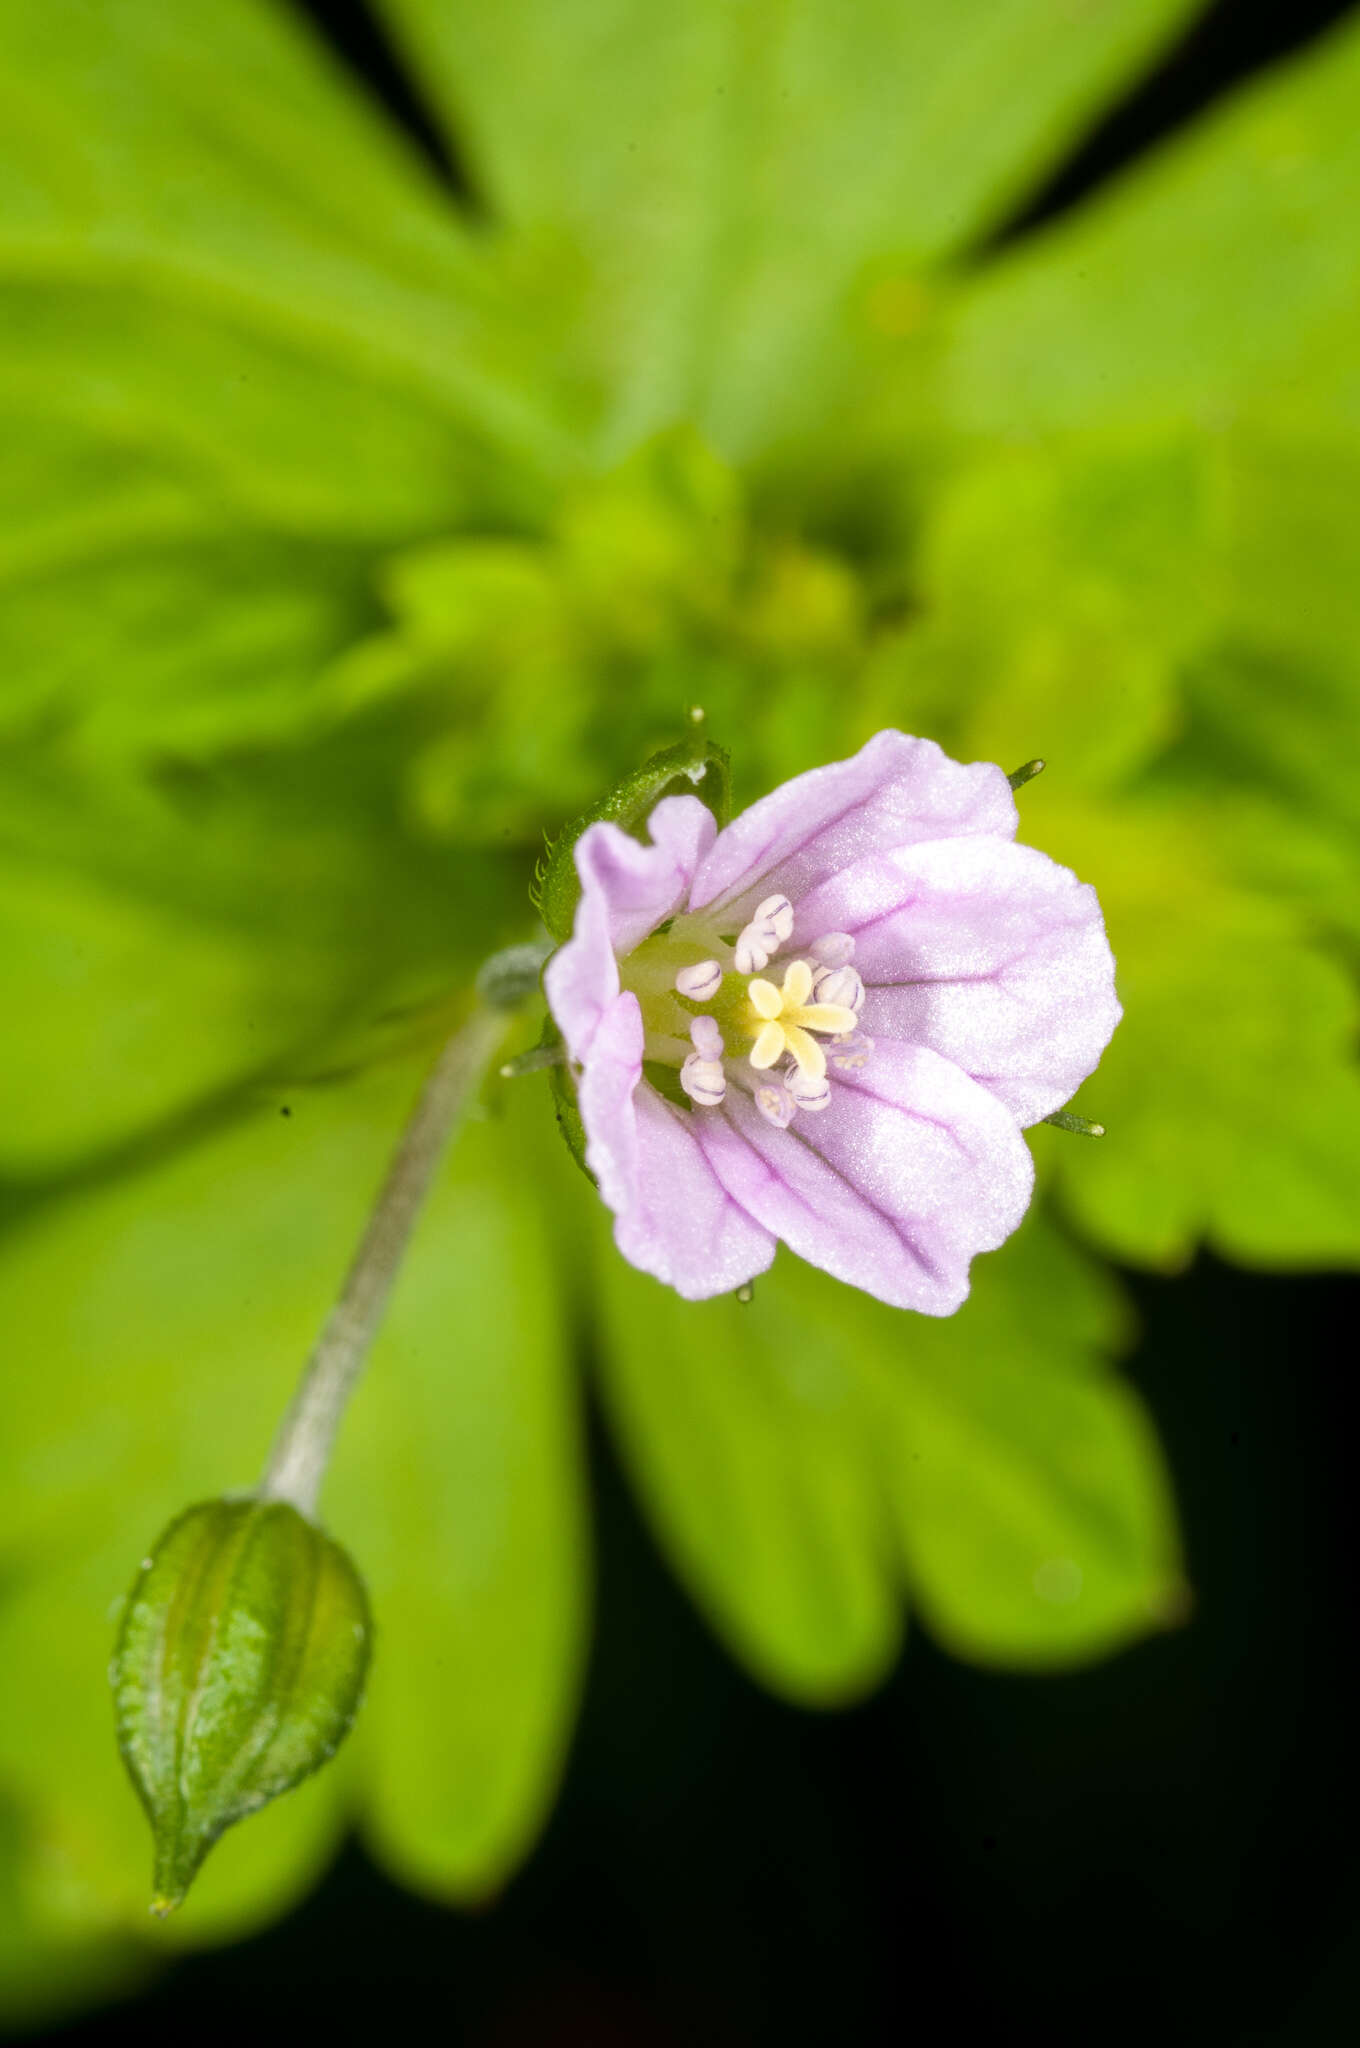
(910,1172)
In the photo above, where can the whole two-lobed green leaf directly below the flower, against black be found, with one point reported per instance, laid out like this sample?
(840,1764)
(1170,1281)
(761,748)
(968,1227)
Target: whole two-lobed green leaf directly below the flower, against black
(788,1447)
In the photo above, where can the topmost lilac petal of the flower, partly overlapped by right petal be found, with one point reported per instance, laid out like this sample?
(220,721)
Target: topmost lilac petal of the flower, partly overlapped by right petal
(892,794)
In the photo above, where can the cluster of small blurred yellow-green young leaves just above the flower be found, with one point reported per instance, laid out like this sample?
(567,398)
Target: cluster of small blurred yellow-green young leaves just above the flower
(552,671)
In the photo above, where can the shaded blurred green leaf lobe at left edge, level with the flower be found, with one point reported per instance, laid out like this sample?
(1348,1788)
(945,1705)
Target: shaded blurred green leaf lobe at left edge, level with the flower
(167,945)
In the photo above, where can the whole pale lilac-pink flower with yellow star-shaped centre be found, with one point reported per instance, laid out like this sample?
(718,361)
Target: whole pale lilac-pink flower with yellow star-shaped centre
(828,1025)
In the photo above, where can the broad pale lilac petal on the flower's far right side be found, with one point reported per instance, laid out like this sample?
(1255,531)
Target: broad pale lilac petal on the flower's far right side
(986,951)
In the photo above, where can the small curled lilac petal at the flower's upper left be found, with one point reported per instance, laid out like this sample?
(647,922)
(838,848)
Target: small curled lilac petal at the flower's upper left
(628,890)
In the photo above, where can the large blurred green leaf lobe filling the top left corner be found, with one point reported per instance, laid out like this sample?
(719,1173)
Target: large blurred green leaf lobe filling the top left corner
(243,343)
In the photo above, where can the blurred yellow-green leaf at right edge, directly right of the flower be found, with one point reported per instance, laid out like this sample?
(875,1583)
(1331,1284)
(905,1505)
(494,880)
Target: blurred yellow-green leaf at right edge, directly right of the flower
(1230,1093)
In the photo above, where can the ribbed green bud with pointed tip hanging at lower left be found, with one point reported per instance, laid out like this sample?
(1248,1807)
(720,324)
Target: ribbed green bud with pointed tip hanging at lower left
(239,1670)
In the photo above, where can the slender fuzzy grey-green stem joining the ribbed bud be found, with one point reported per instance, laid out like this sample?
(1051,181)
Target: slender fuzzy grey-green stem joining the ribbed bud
(308,1431)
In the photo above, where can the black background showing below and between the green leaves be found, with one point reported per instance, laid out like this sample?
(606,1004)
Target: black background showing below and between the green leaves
(1162,1848)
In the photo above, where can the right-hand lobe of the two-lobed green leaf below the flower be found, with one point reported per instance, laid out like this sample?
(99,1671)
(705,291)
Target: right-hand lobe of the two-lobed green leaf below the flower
(1023,1478)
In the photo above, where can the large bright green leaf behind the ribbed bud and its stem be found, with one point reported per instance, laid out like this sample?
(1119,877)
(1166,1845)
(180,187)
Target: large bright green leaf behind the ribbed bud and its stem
(159,1379)
